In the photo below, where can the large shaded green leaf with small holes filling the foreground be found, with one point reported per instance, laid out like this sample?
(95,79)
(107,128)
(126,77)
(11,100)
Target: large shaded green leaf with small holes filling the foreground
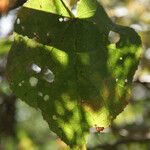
(67,67)
